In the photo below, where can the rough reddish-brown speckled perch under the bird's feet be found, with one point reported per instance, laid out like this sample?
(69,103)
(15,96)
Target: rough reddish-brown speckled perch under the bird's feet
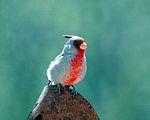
(51,106)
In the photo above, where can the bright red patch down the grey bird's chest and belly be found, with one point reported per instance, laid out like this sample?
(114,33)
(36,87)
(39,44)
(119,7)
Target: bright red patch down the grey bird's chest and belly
(74,71)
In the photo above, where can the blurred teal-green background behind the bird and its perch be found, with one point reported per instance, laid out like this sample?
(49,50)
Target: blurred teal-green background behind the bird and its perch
(117,83)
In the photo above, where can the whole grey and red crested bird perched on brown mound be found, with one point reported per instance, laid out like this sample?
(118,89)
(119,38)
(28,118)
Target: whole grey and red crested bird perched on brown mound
(69,67)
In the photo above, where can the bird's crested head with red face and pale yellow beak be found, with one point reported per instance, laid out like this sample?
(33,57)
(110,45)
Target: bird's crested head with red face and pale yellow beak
(75,44)
